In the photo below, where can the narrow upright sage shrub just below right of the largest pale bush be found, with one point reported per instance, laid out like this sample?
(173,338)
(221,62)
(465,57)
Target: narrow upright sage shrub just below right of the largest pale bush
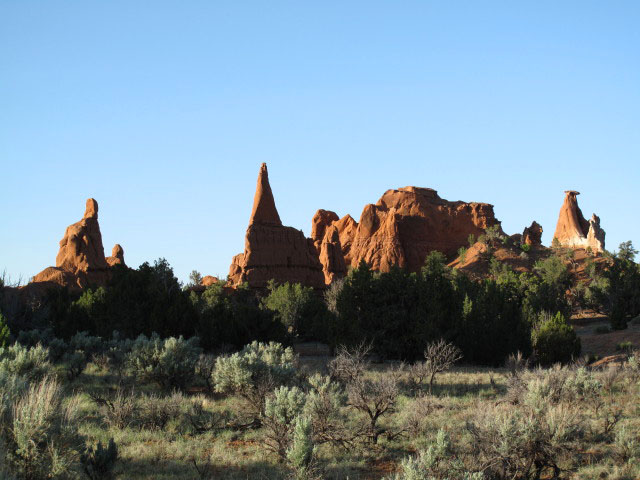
(280,411)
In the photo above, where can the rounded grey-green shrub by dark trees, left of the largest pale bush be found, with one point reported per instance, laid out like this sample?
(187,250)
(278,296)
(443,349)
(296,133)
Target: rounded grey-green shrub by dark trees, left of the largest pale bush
(170,362)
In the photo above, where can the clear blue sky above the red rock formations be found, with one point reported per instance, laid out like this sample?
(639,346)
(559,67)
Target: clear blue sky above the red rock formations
(164,110)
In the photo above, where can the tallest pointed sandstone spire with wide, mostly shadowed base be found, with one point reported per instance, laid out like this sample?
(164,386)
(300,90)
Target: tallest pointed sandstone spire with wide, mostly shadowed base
(274,251)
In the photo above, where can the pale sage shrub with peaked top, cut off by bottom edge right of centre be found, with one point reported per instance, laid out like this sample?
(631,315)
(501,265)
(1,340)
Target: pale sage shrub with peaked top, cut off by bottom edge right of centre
(437,462)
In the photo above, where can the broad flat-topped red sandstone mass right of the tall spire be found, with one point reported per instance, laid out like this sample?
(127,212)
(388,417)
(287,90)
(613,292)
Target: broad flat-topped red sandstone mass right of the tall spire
(404,226)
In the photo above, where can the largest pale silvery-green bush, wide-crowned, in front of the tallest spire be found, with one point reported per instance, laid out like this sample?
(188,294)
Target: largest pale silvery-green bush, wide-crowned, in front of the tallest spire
(254,372)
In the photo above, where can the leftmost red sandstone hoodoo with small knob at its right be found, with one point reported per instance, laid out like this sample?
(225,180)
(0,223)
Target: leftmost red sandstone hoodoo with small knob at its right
(80,261)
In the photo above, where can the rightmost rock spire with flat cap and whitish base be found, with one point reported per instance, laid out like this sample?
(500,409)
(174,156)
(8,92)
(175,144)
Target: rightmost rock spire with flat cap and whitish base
(573,230)
